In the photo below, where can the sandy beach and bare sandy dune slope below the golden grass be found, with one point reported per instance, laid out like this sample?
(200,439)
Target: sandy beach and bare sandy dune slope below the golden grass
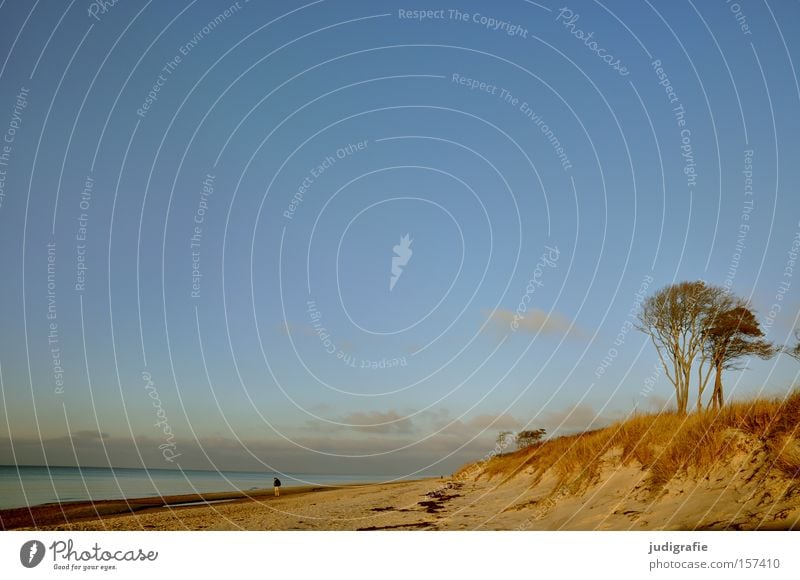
(618,501)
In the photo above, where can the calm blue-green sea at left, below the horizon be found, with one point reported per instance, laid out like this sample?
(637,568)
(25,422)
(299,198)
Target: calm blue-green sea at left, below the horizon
(33,485)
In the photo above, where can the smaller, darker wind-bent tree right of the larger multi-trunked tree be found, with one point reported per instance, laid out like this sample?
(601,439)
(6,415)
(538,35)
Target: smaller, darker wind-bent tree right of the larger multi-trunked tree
(734,334)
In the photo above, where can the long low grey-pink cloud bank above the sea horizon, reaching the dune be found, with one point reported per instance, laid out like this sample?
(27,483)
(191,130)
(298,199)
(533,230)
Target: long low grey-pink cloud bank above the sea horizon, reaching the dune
(431,440)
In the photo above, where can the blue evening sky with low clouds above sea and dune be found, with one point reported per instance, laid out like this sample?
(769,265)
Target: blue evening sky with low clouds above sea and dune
(365,237)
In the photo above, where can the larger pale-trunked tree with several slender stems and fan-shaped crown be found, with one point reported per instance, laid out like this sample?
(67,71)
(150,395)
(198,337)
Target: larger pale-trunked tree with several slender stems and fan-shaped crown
(677,318)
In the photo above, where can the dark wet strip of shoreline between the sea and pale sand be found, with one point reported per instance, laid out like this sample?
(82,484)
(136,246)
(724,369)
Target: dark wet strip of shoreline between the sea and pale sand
(88,511)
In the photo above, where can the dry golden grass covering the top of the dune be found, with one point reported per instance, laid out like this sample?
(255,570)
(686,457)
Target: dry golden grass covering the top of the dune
(666,445)
